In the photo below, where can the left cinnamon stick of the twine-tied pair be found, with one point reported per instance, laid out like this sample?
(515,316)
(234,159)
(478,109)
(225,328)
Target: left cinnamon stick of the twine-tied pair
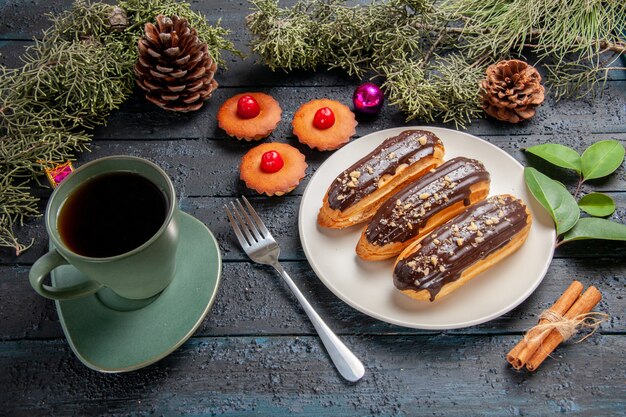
(523,351)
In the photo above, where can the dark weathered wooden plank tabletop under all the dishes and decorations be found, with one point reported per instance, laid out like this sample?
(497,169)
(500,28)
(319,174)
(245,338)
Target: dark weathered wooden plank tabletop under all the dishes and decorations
(256,353)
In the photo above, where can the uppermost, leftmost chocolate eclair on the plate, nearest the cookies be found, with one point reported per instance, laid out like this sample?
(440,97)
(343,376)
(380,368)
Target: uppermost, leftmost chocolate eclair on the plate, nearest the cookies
(355,195)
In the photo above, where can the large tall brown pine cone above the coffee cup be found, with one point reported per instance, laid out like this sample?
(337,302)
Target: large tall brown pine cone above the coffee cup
(175,68)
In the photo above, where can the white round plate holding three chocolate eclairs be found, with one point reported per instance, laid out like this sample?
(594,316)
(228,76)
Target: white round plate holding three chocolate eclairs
(368,286)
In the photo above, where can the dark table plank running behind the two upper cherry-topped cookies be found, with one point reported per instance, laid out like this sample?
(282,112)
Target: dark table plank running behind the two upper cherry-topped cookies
(570,118)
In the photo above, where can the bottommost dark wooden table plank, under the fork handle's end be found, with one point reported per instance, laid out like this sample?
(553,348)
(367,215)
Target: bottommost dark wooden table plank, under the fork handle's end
(436,375)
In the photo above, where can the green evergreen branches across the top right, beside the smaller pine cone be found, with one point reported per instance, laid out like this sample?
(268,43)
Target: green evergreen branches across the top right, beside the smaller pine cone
(421,50)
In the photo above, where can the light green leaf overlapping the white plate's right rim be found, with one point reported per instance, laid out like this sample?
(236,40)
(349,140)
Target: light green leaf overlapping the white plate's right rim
(553,197)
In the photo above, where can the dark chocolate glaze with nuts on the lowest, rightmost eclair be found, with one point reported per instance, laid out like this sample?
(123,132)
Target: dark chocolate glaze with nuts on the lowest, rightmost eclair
(451,248)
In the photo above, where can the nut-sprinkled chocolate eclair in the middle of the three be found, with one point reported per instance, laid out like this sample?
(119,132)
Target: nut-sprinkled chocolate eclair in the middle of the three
(421,206)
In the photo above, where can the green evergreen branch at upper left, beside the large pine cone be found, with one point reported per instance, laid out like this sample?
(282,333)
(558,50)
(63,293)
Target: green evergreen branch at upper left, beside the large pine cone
(72,79)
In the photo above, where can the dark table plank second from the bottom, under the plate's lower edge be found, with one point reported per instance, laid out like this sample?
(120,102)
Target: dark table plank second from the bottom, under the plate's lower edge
(253,300)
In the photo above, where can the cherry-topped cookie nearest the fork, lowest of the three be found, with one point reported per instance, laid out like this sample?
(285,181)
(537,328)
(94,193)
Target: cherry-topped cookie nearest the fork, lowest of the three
(272,168)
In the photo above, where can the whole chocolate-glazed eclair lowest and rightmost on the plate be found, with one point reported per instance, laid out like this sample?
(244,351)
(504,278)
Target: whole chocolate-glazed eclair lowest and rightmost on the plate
(462,248)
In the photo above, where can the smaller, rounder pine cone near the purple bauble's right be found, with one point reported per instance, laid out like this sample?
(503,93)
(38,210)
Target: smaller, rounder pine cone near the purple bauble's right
(511,91)
